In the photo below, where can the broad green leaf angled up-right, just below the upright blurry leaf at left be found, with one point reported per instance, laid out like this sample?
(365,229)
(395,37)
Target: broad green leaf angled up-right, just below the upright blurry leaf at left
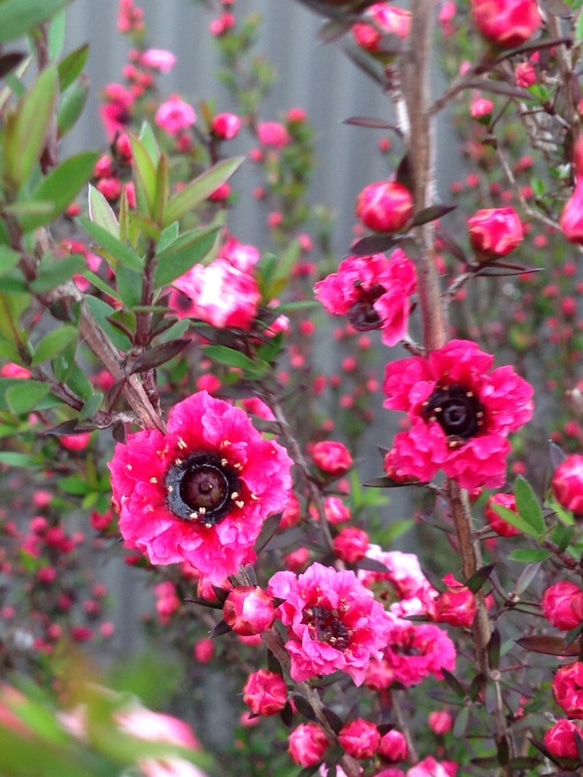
(60,188)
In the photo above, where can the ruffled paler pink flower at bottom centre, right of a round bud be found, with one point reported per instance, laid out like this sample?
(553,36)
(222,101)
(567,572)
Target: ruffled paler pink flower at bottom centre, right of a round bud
(333,622)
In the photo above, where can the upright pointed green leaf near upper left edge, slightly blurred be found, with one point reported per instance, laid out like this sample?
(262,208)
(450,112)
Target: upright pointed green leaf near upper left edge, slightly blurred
(27,129)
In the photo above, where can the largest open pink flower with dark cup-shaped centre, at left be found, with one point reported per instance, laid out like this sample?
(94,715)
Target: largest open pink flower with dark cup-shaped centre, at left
(201,492)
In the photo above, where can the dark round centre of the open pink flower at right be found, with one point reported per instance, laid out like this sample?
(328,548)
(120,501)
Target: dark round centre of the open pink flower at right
(456,410)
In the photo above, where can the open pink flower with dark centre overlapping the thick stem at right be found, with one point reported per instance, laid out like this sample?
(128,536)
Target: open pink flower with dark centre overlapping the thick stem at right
(460,415)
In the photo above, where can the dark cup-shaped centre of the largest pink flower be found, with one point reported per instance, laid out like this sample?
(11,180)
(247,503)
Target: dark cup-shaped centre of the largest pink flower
(201,488)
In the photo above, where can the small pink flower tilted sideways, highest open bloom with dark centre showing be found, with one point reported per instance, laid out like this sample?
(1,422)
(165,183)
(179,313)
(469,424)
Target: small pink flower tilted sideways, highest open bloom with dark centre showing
(373,292)
